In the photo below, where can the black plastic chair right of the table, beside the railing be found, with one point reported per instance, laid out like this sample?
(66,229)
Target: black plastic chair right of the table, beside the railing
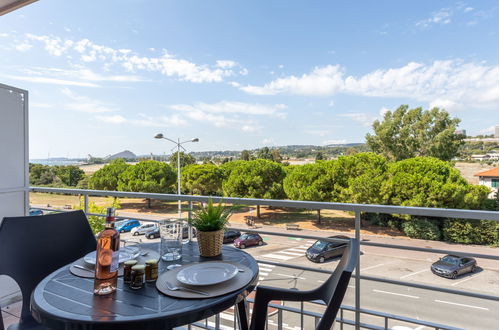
(331,292)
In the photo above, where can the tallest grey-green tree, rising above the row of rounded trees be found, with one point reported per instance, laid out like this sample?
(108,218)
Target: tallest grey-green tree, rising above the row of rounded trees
(406,133)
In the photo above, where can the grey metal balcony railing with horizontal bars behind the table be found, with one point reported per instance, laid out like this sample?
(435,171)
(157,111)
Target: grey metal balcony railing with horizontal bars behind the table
(349,316)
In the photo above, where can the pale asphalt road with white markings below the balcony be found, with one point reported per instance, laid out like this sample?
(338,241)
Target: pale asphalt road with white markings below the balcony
(448,309)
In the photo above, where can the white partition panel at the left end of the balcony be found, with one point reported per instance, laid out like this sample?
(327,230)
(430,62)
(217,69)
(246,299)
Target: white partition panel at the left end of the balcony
(14,161)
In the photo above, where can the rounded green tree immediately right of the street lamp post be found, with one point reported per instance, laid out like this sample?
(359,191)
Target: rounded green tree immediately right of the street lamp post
(203,179)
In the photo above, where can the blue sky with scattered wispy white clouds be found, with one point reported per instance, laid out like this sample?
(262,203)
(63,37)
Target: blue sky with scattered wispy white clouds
(105,76)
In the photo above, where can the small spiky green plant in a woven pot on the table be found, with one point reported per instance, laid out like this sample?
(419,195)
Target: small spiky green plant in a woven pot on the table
(210,222)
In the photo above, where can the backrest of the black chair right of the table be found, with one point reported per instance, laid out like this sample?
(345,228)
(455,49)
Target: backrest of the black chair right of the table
(333,290)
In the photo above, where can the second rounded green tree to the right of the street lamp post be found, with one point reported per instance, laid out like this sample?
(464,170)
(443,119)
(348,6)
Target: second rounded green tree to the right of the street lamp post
(259,178)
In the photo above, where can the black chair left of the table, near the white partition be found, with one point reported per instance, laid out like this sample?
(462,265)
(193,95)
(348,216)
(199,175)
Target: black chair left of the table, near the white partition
(33,247)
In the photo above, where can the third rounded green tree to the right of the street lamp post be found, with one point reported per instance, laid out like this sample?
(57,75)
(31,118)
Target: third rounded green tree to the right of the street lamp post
(309,182)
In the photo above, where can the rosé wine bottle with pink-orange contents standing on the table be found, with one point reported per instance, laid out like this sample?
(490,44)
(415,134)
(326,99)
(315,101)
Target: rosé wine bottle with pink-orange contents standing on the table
(107,257)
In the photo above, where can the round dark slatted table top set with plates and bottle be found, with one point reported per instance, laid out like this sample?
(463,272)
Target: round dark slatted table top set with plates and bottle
(64,301)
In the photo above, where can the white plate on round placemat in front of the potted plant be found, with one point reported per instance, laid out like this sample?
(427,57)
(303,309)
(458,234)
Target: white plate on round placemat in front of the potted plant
(207,273)
